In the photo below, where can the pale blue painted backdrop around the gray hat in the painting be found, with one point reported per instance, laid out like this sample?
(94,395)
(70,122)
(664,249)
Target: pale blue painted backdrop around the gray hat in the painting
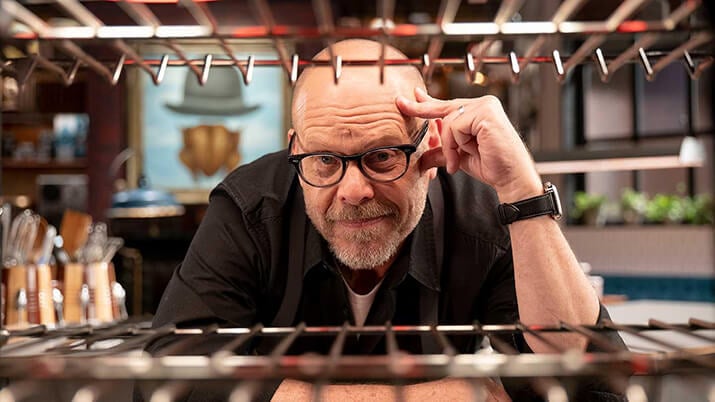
(261,130)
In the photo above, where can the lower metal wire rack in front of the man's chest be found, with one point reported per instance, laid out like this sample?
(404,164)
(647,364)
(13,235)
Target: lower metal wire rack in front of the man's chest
(96,358)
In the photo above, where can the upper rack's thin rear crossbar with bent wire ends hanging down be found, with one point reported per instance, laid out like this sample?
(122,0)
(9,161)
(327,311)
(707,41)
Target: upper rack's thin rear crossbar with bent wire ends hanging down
(694,62)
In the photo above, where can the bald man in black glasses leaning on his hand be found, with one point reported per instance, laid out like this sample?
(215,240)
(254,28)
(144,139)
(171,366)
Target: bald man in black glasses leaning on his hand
(387,236)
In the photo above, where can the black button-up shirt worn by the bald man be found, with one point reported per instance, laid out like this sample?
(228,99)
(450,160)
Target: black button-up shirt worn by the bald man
(257,258)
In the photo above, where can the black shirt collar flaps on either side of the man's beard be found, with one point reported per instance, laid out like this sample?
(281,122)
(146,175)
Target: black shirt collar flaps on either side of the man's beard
(423,264)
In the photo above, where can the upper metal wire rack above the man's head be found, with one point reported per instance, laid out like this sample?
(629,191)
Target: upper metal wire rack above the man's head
(126,41)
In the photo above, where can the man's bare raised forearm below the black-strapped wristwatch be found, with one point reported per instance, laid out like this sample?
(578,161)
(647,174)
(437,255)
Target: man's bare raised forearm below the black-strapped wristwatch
(550,285)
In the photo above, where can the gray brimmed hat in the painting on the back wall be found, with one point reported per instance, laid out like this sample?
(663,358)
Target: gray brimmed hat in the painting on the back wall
(220,96)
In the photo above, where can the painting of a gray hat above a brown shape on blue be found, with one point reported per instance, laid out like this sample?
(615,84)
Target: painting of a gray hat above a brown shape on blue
(194,135)
